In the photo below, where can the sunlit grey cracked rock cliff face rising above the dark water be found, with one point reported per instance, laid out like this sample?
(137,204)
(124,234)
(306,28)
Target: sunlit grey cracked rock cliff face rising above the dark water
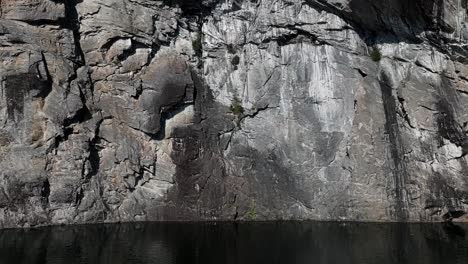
(133,110)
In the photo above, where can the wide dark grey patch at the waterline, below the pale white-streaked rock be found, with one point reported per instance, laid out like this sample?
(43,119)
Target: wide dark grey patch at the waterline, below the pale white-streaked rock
(269,186)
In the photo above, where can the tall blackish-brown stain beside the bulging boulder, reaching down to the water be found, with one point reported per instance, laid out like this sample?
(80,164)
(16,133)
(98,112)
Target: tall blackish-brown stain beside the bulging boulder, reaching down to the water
(199,186)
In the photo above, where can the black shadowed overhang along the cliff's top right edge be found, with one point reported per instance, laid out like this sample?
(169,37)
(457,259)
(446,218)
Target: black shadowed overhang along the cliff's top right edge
(389,21)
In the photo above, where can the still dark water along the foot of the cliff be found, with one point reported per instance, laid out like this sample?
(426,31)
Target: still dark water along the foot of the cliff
(290,242)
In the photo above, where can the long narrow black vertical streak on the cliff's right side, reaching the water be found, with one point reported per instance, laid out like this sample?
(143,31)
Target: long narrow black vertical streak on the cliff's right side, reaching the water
(399,170)
